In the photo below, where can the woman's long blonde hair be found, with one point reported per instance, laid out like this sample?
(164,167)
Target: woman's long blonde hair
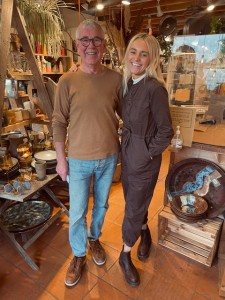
(153,69)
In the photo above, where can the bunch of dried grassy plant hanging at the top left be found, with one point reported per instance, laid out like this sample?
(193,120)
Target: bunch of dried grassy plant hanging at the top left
(43,20)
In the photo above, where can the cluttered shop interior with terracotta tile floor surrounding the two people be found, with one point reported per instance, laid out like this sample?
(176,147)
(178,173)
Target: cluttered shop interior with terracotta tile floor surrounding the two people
(187,259)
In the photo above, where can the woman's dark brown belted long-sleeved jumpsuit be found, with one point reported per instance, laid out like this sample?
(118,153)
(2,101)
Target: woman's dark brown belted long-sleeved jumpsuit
(147,131)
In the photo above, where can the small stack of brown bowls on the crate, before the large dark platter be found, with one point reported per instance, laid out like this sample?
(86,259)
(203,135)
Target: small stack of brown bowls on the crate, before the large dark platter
(189,207)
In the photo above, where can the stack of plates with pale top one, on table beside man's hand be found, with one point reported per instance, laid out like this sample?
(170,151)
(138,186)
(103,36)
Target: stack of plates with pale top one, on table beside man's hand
(50,157)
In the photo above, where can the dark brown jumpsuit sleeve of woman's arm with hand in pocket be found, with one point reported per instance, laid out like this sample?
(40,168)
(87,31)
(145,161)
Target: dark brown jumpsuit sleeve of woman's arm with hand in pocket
(162,119)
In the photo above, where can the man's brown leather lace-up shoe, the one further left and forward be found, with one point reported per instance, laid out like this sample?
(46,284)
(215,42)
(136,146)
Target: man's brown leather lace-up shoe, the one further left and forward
(74,271)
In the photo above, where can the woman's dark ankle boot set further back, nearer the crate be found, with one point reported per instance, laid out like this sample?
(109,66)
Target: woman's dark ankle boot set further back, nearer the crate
(143,250)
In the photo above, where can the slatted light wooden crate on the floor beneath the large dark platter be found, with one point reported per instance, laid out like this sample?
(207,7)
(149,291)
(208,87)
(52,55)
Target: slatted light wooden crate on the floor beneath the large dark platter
(198,241)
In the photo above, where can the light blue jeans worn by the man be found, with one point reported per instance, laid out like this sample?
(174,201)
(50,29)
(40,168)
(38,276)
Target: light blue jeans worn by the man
(80,175)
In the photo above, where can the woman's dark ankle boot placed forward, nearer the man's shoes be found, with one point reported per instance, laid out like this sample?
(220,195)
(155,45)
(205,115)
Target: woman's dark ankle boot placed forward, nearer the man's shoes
(130,272)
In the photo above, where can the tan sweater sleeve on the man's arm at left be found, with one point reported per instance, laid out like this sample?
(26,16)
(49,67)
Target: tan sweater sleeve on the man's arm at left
(60,118)
